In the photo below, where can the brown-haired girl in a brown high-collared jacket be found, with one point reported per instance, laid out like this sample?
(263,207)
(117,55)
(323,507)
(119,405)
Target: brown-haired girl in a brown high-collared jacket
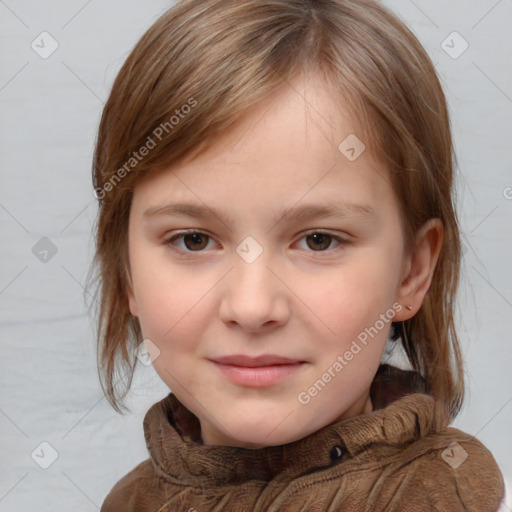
(275,190)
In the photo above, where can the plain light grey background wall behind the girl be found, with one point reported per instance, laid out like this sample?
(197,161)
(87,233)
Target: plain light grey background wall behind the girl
(50,109)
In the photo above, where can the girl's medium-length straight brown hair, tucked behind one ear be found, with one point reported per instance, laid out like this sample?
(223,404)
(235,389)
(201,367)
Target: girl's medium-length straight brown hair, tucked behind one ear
(198,69)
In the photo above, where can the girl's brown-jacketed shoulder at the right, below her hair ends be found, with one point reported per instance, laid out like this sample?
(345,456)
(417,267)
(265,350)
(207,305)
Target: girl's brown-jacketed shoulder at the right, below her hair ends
(450,470)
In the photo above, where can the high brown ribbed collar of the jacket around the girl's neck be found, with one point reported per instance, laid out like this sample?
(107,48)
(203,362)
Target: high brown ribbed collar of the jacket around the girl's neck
(402,412)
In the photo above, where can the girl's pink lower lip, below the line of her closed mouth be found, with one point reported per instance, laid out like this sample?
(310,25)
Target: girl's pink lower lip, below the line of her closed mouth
(260,376)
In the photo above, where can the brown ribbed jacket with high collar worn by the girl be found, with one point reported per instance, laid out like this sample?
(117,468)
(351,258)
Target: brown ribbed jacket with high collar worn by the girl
(402,456)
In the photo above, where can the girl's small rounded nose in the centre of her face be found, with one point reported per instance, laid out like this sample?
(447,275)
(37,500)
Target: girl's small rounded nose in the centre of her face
(254,296)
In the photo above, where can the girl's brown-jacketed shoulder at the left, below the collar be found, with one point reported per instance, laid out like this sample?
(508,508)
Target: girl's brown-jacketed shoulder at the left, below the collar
(133,489)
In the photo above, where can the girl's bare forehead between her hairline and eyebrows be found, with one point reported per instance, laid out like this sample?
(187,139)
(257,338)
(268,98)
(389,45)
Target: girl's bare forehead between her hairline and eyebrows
(299,142)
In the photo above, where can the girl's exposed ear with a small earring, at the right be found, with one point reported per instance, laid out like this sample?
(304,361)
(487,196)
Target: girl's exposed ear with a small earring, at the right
(419,267)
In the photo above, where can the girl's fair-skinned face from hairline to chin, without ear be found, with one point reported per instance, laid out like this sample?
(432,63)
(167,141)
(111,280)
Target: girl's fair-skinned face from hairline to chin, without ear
(309,298)
